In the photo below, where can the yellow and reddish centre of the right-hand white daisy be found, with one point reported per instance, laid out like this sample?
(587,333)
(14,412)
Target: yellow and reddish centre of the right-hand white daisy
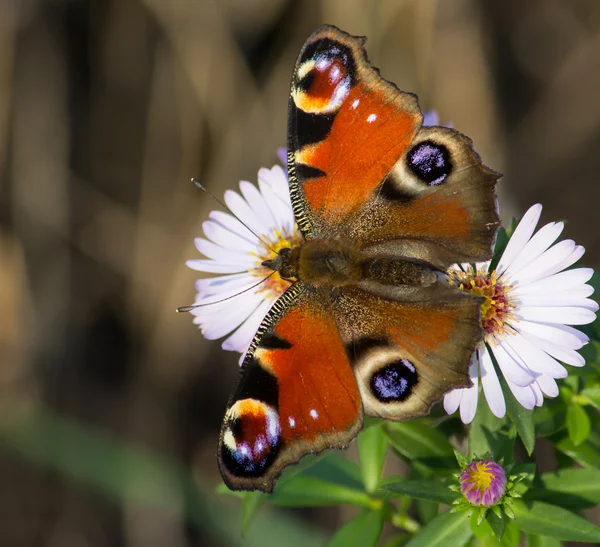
(496,308)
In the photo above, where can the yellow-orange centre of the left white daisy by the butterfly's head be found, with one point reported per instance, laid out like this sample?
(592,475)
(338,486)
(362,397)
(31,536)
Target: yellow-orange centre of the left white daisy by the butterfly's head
(274,286)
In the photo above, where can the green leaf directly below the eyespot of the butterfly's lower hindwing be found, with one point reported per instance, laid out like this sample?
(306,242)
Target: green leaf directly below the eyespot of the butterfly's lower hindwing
(418,440)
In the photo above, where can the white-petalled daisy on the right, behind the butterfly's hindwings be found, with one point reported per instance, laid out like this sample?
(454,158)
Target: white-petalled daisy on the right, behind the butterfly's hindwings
(530,302)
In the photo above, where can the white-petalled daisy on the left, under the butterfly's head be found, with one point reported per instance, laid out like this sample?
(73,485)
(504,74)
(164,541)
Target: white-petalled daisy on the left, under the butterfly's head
(233,250)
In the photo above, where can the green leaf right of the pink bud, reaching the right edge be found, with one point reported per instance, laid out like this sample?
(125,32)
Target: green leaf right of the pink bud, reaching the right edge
(575,488)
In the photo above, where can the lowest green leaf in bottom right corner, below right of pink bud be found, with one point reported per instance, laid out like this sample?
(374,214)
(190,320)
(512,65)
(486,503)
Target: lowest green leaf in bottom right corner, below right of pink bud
(550,520)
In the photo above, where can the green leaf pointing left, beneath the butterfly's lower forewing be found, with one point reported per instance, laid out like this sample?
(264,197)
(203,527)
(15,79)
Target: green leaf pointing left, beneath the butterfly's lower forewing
(307,491)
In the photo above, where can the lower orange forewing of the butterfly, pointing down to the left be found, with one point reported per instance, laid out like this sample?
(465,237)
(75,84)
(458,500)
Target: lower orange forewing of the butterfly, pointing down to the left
(296,394)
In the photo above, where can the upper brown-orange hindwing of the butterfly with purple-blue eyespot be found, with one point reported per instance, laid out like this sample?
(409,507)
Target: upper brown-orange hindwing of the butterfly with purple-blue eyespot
(437,204)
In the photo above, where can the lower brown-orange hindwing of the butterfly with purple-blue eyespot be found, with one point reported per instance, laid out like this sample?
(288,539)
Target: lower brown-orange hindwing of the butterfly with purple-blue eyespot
(408,345)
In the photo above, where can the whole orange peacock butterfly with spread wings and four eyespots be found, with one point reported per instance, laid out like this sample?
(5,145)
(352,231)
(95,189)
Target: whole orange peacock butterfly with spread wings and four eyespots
(369,325)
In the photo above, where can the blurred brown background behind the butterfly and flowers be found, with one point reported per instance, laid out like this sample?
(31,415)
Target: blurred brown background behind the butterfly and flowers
(107,108)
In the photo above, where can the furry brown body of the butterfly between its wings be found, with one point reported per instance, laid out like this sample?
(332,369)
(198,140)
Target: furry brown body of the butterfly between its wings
(336,263)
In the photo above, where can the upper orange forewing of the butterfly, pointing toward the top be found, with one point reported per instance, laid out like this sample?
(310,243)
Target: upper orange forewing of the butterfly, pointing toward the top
(347,128)
